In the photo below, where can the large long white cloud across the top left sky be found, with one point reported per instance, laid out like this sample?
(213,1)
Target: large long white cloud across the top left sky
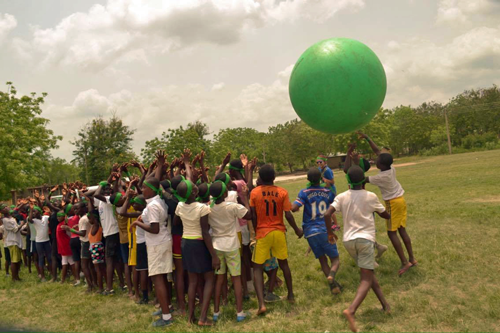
(105,34)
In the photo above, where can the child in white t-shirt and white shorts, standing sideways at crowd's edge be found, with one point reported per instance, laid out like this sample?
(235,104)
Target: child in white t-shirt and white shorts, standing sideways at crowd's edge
(155,222)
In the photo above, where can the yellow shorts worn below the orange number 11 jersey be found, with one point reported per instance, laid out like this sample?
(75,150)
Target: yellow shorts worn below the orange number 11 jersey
(274,241)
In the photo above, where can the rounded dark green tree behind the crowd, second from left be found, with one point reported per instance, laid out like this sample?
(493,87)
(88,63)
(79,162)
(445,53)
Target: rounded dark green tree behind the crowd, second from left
(99,145)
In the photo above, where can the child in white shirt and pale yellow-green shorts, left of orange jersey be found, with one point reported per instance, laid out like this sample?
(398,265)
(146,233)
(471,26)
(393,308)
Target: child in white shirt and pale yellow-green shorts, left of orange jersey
(226,243)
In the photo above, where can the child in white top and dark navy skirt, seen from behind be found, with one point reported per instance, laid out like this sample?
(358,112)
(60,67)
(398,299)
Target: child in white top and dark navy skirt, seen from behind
(198,255)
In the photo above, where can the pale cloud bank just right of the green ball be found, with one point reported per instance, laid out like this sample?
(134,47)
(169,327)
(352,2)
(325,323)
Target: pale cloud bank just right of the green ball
(420,70)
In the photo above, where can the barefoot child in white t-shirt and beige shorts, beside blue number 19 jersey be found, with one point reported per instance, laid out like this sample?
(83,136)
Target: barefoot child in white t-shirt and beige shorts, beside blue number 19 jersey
(357,207)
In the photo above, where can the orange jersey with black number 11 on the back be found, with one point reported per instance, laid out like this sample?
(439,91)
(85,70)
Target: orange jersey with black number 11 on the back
(269,202)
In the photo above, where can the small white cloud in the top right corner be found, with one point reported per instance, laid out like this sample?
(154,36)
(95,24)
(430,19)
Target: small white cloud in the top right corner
(459,11)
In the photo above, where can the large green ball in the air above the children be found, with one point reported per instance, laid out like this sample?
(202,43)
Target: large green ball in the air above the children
(337,85)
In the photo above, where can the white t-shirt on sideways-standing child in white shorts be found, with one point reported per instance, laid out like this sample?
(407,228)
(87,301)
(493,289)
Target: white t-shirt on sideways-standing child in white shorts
(156,211)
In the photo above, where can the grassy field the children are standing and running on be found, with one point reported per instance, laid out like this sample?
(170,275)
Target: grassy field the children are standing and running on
(454,209)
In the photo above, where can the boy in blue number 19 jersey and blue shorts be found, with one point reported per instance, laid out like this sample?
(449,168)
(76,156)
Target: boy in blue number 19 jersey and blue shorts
(316,199)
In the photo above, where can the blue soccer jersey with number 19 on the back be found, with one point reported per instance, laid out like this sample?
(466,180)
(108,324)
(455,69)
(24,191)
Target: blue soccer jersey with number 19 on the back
(316,200)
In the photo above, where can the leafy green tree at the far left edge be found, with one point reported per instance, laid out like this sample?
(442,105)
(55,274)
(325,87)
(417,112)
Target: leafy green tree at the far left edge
(25,140)
